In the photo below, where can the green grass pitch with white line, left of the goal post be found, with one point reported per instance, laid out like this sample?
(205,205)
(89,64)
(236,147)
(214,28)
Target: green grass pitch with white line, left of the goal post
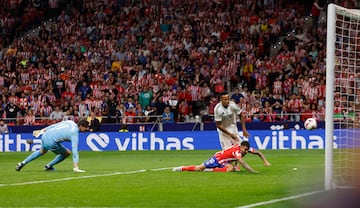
(108,185)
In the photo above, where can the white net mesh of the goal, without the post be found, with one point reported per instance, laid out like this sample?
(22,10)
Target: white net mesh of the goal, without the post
(347,97)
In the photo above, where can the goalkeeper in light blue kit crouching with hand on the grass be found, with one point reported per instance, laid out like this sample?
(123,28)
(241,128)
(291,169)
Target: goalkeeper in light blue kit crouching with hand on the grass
(51,139)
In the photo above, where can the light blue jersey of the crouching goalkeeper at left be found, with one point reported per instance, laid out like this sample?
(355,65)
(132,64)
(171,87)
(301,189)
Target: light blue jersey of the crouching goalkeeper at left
(60,132)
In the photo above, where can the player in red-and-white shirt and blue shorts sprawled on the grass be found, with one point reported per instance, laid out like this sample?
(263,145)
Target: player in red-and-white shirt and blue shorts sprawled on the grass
(221,161)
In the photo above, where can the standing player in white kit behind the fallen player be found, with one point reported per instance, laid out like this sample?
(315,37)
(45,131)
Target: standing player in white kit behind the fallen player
(226,113)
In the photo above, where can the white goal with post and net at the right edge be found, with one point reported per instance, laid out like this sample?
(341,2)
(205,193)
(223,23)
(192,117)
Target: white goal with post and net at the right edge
(342,158)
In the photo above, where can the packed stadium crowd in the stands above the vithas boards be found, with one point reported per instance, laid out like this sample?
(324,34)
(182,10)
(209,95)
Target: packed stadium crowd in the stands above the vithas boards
(127,61)
